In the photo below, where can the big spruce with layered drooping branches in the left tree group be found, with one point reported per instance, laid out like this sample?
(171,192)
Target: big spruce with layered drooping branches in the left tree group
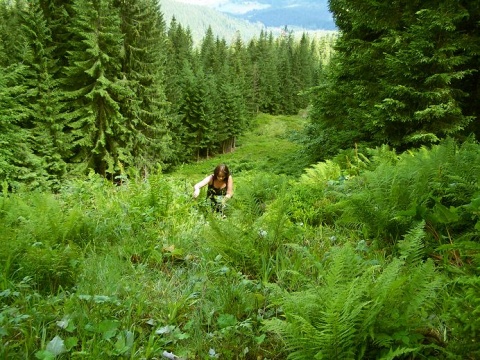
(101,137)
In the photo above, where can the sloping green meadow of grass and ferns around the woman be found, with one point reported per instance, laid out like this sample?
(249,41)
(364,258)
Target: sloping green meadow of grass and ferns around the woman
(370,255)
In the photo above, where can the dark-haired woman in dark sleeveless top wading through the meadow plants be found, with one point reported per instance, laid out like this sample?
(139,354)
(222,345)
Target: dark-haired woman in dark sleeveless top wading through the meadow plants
(220,187)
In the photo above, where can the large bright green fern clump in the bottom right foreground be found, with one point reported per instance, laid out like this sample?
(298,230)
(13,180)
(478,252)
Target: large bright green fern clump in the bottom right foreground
(359,309)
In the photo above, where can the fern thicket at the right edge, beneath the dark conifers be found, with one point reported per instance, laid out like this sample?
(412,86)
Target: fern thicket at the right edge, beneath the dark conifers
(437,186)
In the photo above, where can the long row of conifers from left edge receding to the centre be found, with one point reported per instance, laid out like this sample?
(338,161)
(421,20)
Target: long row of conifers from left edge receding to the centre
(107,86)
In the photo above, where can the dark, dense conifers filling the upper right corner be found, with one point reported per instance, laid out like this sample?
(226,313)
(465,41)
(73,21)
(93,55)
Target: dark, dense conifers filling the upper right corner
(405,73)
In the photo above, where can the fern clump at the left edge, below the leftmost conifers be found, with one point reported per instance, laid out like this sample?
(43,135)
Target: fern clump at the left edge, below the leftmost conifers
(41,244)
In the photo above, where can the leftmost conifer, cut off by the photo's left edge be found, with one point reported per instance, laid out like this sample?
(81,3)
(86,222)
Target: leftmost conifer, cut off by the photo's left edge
(23,86)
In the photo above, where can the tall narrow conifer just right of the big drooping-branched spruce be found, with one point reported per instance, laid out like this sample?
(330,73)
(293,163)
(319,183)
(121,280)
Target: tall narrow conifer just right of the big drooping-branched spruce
(143,65)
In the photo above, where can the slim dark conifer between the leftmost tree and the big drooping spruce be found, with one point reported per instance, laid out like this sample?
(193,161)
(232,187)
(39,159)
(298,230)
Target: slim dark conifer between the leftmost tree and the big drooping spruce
(42,98)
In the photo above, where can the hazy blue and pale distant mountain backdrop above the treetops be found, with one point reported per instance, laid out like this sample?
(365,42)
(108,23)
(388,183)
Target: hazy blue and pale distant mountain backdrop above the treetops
(245,18)
